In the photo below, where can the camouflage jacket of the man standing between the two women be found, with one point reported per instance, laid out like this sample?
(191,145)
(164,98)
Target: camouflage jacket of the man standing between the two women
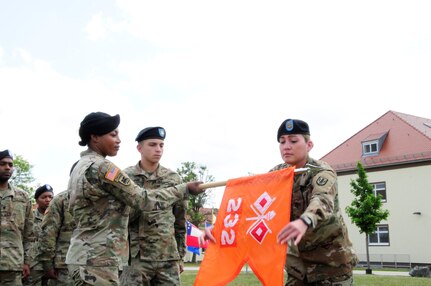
(159,234)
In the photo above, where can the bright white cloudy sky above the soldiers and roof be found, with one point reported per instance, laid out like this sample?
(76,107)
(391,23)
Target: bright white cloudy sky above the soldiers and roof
(219,76)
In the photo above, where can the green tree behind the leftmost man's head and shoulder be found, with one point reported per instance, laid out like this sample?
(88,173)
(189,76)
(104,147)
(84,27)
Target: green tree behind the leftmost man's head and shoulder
(22,176)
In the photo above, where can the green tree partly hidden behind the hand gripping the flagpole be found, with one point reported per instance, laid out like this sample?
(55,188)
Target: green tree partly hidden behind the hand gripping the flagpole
(189,172)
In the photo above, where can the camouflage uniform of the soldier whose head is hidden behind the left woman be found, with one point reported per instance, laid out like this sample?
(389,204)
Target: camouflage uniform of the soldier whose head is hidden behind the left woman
(56,231)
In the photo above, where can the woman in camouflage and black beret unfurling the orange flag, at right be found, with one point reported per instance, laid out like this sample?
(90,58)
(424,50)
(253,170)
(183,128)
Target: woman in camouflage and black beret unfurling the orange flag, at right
(319,252)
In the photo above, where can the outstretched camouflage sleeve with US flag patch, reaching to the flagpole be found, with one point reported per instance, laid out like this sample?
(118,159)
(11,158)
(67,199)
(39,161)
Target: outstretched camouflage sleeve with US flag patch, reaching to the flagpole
(118,184)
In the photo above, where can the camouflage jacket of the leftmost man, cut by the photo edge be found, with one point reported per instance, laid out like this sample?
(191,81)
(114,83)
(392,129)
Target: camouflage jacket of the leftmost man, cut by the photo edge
(16,231)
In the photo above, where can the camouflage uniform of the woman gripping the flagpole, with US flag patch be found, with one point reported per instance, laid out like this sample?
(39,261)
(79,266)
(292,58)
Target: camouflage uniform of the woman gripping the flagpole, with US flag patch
(100,199)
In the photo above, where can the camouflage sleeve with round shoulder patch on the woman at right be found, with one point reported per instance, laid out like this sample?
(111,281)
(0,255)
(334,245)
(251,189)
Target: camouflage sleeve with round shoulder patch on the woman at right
(323,195)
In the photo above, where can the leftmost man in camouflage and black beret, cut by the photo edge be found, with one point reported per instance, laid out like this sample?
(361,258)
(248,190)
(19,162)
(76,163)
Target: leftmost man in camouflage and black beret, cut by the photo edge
(16,227)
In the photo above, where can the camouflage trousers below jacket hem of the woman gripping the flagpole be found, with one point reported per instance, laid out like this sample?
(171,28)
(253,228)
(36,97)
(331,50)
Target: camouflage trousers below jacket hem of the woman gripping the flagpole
(83,275)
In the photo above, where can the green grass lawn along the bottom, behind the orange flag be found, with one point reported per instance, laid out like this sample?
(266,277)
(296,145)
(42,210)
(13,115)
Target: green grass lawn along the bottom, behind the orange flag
(248,279)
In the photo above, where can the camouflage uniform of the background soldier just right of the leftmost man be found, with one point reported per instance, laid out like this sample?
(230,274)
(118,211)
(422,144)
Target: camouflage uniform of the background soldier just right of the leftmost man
(36,270)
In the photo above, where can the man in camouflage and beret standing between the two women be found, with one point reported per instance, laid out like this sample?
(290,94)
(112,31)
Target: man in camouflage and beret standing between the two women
(157,237)
